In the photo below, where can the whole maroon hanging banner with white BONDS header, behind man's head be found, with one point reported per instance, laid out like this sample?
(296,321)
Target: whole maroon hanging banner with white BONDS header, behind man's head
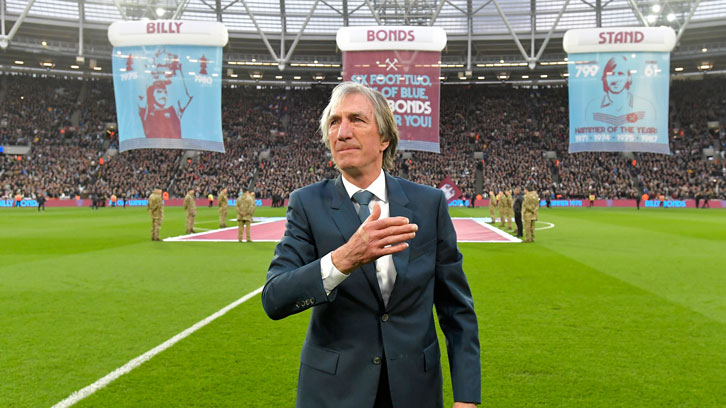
(404,64)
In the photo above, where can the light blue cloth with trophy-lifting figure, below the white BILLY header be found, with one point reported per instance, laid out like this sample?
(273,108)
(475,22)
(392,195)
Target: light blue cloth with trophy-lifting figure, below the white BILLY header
(169,96)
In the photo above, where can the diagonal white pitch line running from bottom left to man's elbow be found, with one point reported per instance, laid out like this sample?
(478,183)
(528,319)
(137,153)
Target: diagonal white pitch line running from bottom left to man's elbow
(113,375)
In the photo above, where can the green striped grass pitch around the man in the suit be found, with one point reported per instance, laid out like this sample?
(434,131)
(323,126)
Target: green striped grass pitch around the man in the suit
(610,308)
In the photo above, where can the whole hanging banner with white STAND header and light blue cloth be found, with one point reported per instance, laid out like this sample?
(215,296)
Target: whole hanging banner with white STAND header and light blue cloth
(618,86)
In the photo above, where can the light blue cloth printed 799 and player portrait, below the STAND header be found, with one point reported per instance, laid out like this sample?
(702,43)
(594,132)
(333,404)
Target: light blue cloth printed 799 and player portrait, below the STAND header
(619,102)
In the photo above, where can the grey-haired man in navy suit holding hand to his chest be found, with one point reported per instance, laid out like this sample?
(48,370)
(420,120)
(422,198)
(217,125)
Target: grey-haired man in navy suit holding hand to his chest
(372,255)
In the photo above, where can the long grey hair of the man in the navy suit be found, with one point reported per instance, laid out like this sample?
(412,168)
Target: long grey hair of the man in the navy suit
(384,117)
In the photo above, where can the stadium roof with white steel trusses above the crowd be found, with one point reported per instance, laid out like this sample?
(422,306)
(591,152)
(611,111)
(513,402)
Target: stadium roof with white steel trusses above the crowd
(485,36)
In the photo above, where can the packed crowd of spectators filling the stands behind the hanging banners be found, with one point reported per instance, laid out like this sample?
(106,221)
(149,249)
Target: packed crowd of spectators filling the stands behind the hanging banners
(519,135)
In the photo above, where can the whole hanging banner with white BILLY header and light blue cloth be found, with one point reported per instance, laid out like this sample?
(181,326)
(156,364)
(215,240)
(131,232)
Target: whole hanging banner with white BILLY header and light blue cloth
(168,84)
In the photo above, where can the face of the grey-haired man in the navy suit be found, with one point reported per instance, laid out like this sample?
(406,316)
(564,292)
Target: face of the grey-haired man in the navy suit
(354,139)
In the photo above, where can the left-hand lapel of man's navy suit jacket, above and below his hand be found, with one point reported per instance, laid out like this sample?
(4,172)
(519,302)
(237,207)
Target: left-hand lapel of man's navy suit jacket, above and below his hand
(347,221)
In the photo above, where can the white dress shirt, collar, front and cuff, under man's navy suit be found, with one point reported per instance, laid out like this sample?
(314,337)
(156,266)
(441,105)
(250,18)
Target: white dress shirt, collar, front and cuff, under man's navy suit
(385,269)
